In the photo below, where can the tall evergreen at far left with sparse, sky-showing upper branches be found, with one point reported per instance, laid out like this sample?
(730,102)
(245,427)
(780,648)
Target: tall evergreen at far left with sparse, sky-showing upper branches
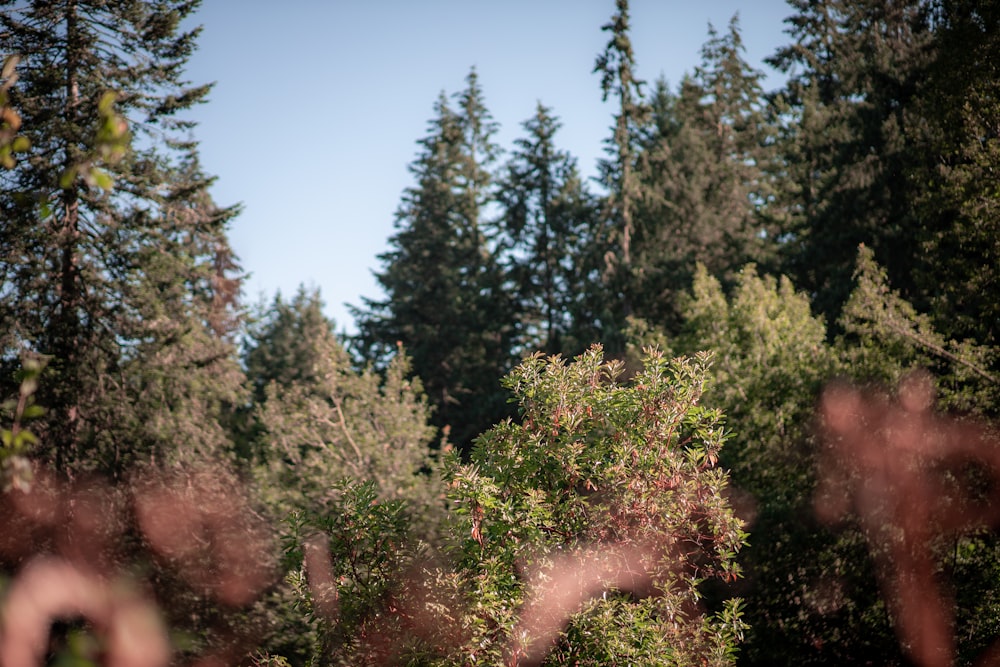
(130,291)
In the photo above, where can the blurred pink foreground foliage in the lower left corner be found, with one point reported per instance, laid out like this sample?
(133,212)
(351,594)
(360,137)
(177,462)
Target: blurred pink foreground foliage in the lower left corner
(73,548)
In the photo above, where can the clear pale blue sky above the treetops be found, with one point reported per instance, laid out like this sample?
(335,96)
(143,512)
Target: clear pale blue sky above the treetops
(318,105)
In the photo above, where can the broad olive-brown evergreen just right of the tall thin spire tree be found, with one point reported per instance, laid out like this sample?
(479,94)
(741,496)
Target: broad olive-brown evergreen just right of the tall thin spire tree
(705,168)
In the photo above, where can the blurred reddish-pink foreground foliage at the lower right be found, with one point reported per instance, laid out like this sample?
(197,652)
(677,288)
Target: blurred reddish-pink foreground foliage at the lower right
(898,467)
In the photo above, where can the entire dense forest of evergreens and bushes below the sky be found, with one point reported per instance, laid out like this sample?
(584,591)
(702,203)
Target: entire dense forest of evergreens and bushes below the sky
(732,401)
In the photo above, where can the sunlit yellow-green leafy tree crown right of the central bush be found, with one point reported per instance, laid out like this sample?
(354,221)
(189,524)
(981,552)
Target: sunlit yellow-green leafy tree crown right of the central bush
(771,360)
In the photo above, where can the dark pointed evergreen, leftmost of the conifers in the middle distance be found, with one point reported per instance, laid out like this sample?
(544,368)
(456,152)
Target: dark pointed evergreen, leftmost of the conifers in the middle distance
(445,294)
